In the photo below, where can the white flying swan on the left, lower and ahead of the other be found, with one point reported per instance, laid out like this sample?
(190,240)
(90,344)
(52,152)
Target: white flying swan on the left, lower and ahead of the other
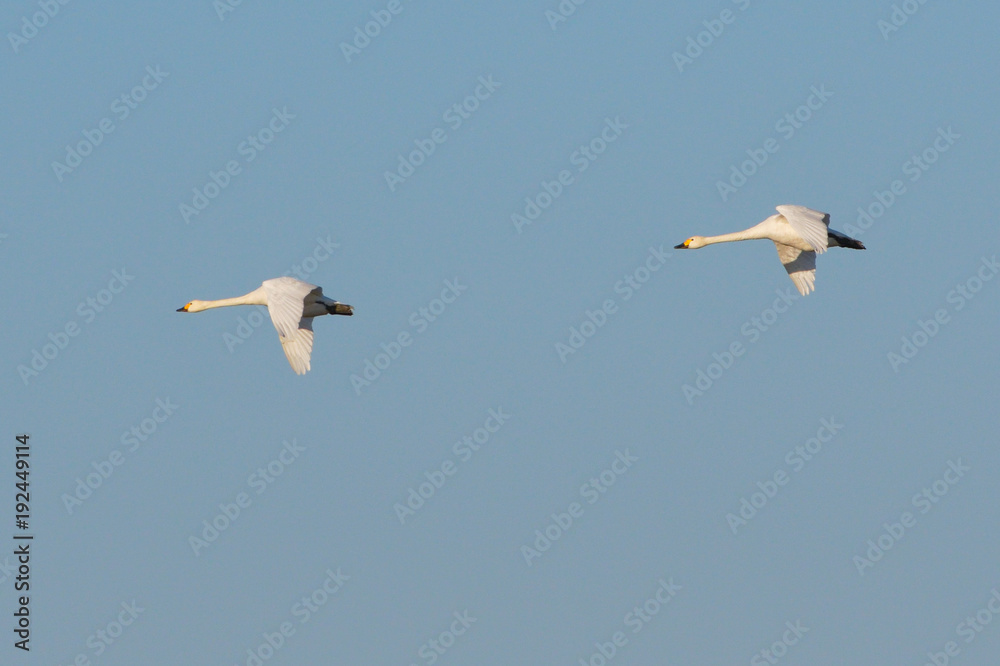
(292,305)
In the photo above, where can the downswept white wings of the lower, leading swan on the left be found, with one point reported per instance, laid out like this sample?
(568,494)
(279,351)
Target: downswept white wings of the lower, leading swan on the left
(286,298)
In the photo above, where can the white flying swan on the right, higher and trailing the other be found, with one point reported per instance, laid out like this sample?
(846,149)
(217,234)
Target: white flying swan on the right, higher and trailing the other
(799,233)
